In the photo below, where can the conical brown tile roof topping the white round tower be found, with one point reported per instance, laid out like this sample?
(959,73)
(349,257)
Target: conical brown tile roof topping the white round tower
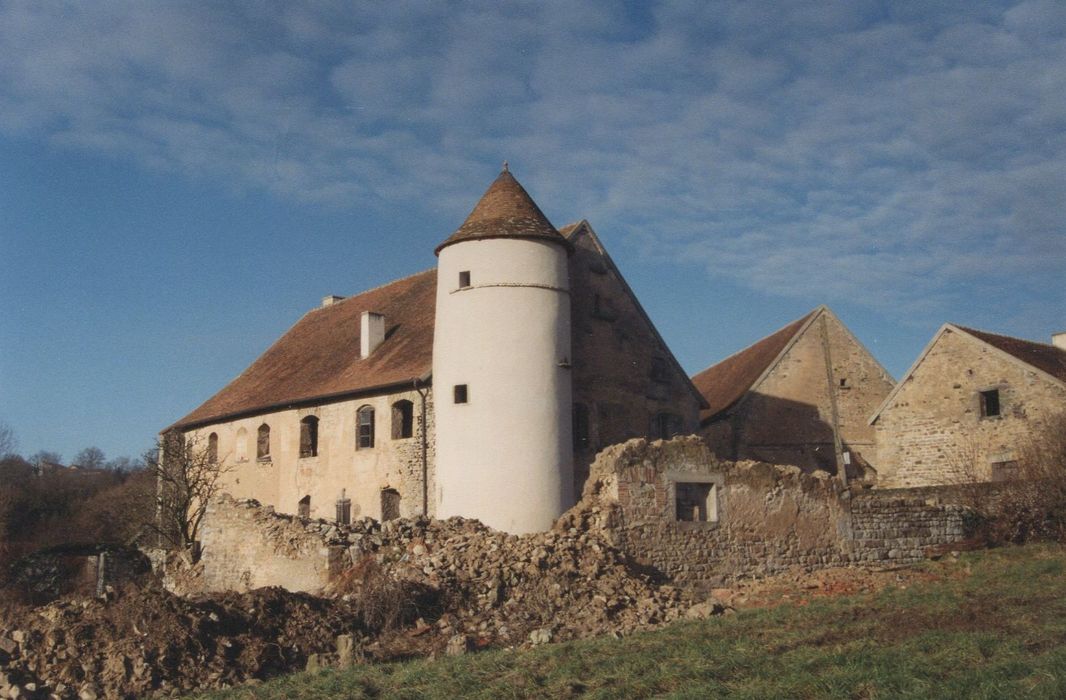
(506,210)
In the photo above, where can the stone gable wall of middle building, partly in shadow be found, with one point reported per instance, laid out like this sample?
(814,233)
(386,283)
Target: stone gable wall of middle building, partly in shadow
(825,378)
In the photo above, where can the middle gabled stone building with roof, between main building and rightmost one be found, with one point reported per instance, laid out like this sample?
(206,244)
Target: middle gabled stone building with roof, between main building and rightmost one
(800,397)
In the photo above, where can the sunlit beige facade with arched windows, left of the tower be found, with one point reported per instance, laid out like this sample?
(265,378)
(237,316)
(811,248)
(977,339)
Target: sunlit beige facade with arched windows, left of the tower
(341,466)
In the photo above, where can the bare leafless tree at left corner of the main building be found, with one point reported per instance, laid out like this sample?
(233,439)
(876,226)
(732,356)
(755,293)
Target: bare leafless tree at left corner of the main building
(188,478)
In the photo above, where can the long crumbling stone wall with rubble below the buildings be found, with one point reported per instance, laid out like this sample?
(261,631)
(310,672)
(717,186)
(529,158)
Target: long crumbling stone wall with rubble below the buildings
(670,506)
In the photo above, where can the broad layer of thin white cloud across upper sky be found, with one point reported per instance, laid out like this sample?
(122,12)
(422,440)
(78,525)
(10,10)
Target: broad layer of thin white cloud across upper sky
(891,155)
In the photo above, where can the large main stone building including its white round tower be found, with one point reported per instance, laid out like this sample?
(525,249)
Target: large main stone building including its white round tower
(481,388)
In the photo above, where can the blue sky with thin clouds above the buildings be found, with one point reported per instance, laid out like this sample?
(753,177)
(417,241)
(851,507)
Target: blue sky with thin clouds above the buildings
(181,182)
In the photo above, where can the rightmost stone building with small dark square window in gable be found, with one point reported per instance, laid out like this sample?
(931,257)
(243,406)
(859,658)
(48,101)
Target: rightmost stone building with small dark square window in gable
(967,406)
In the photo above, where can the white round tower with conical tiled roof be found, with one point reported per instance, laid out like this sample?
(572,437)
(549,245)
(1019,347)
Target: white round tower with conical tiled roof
(502,378)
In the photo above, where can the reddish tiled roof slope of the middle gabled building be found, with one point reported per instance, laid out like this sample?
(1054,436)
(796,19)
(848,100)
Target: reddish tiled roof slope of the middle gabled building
(724,384)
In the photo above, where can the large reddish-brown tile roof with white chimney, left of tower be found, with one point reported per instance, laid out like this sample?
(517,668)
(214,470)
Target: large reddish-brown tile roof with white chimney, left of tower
(319,357)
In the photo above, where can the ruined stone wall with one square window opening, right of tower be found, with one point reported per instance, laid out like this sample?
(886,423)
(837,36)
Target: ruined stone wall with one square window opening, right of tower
(763,519)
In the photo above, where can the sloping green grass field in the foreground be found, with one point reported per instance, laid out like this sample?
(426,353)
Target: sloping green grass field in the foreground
(999,632)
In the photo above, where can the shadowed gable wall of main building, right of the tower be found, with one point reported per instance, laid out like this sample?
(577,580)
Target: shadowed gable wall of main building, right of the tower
(623,375)
